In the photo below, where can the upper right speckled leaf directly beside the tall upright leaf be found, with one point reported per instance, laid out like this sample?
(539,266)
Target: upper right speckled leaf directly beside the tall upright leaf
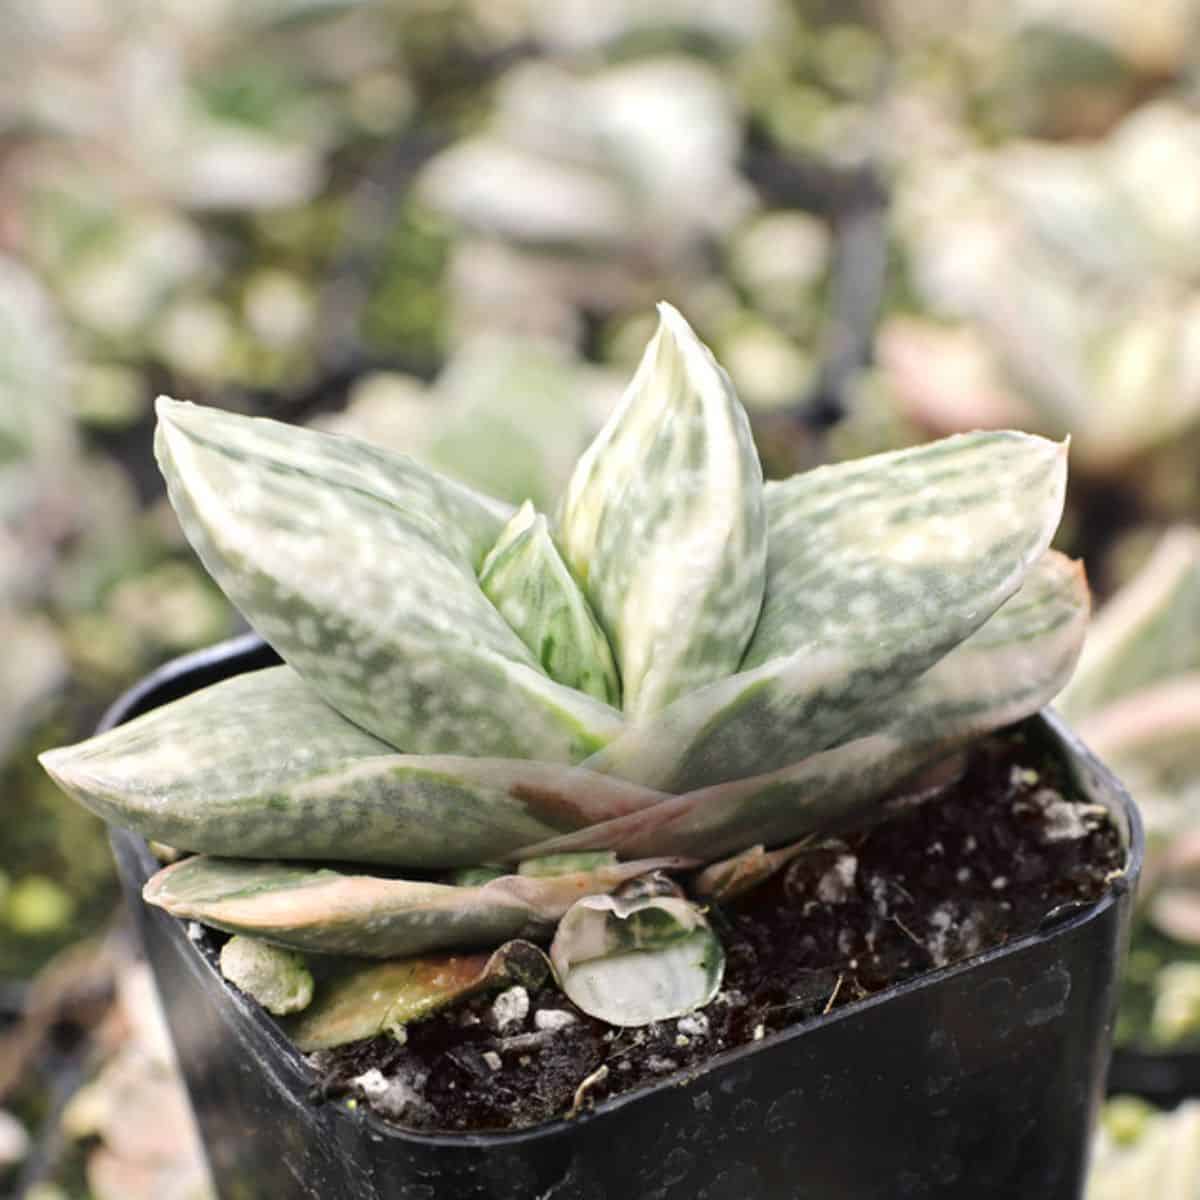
(877,569)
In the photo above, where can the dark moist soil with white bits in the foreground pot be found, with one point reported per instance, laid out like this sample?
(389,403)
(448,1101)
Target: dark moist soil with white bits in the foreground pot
(985,862)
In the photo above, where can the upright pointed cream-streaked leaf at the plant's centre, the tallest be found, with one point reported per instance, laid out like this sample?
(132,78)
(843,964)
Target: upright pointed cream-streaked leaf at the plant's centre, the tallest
(663,524)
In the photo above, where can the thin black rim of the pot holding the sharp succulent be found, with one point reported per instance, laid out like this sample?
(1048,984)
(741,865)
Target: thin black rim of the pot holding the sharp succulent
(1057,923)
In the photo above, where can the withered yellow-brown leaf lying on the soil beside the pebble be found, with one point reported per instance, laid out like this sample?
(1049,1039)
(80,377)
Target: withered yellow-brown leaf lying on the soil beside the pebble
(359,1001)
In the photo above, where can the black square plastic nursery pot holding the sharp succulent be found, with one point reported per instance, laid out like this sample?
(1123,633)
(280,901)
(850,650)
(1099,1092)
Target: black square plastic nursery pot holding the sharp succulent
(980,1081)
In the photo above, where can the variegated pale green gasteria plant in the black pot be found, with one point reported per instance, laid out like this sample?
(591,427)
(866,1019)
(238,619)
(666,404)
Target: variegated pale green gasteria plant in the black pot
(535,719)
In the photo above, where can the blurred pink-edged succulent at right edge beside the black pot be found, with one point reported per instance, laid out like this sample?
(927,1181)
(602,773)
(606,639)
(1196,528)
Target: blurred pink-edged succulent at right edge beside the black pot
(1136,699)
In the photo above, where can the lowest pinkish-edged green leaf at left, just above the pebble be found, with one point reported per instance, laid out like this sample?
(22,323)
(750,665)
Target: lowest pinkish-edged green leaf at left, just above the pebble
(329,913)
